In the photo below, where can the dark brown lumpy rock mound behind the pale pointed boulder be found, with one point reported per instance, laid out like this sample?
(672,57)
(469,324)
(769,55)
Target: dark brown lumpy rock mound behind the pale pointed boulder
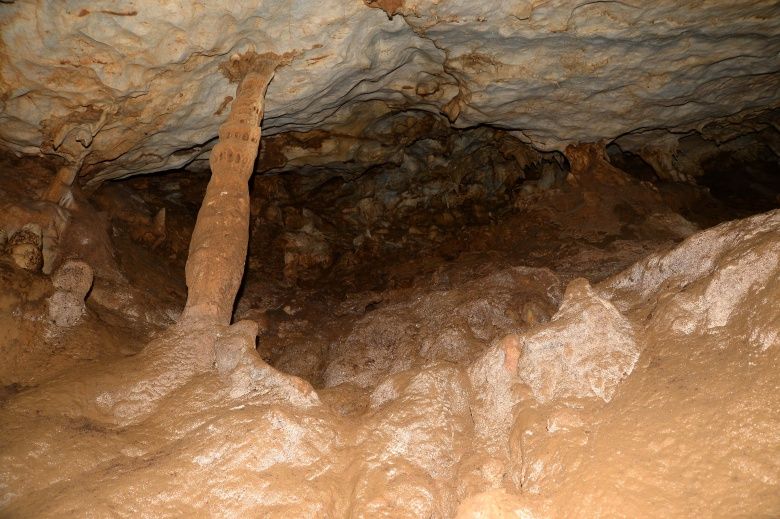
(447,325)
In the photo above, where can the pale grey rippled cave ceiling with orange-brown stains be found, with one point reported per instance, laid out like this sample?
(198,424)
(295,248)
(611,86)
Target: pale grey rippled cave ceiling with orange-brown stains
(138,85)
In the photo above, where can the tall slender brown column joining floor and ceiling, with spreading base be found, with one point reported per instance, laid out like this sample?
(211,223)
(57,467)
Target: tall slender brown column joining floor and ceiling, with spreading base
(203,337)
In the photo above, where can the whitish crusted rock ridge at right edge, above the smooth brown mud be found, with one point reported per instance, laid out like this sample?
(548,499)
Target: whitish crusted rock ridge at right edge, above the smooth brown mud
(724,279)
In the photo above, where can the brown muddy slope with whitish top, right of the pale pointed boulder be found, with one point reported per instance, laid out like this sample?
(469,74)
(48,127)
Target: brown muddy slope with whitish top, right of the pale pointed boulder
(698,380)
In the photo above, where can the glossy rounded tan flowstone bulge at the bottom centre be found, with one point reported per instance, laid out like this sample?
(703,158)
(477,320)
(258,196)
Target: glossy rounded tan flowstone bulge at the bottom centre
(411,444)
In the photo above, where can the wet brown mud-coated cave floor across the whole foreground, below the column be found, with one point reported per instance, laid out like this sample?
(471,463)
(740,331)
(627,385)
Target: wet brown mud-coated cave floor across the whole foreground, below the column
(421,404)
